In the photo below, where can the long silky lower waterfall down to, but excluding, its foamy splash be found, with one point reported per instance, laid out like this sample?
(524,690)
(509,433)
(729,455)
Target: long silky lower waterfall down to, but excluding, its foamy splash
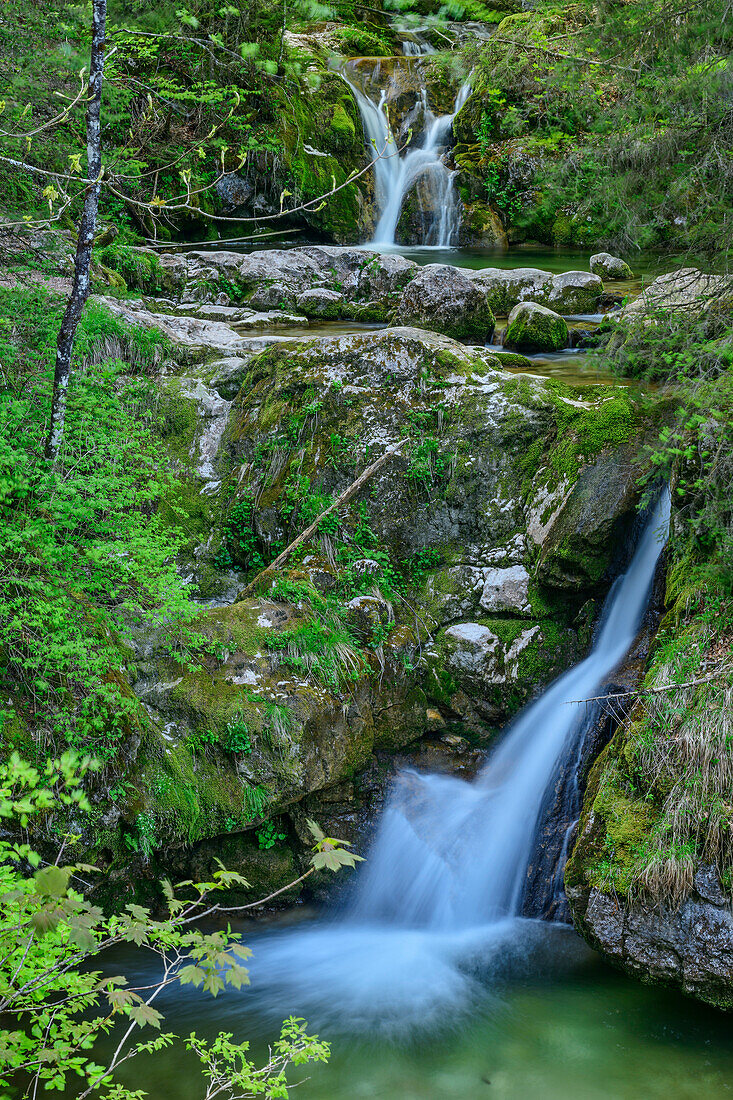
(451,854)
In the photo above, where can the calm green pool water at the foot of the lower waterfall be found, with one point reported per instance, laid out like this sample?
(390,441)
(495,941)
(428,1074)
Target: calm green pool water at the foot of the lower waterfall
(554,1024)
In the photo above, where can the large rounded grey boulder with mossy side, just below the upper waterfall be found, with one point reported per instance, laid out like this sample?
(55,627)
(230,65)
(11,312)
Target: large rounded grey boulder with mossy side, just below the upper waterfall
(444,300)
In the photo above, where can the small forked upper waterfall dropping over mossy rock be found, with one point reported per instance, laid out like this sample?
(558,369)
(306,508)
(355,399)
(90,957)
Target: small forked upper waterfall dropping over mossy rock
(422,168)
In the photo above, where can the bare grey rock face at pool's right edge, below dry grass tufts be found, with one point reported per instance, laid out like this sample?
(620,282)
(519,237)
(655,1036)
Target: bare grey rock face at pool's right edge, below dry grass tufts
(692,948)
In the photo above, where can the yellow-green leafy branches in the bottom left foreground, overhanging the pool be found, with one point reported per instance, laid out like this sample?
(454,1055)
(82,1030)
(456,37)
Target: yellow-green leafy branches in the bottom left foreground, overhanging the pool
(60,1013)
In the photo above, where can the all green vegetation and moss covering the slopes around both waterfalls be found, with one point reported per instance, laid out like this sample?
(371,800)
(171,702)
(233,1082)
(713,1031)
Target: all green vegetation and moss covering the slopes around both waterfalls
(590,125)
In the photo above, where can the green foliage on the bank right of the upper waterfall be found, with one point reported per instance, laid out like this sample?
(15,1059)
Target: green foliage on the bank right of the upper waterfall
(608,130)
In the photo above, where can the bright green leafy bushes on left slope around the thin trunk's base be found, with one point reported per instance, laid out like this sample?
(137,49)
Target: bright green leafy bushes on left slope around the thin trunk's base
(85,557)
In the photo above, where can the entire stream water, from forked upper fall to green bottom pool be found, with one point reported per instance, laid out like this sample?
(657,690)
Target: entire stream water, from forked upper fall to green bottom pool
(426,978)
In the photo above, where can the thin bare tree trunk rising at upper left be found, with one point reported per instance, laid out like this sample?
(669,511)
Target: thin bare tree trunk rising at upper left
(86,235)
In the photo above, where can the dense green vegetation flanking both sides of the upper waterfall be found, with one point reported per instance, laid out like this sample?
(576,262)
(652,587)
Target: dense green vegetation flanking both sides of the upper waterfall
(589,125)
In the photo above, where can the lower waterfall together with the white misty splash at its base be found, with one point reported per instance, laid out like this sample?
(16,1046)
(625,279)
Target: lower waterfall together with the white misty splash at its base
(437,903)
